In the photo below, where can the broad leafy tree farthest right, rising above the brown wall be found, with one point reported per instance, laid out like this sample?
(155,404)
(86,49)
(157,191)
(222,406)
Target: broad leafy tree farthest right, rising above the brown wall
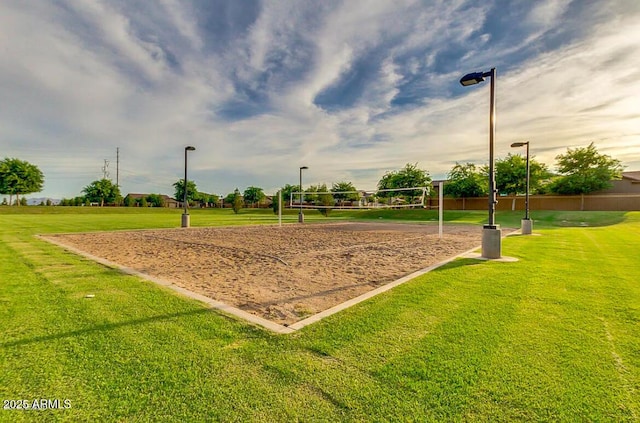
(584,170)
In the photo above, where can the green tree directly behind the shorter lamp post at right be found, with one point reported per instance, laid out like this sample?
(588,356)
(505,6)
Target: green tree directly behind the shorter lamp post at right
(511,174)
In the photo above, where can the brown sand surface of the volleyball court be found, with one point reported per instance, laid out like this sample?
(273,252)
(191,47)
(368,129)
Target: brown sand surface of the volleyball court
(283,274)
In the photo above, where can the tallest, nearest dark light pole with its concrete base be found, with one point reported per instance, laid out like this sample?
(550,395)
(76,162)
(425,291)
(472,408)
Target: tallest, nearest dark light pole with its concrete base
(491,233)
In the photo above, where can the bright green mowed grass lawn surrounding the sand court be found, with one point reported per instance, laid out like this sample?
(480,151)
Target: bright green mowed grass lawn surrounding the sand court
(552,337)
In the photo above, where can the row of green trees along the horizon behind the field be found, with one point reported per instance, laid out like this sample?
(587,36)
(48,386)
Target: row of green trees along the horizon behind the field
(579,171)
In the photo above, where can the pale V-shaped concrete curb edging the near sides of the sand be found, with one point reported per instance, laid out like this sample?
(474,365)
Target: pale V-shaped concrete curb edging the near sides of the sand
(251,318)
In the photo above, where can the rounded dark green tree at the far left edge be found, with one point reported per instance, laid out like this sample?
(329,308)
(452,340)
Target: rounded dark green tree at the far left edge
(19,177)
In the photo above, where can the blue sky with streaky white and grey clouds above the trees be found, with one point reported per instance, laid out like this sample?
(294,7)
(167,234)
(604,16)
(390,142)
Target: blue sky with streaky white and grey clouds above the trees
(350,88)
